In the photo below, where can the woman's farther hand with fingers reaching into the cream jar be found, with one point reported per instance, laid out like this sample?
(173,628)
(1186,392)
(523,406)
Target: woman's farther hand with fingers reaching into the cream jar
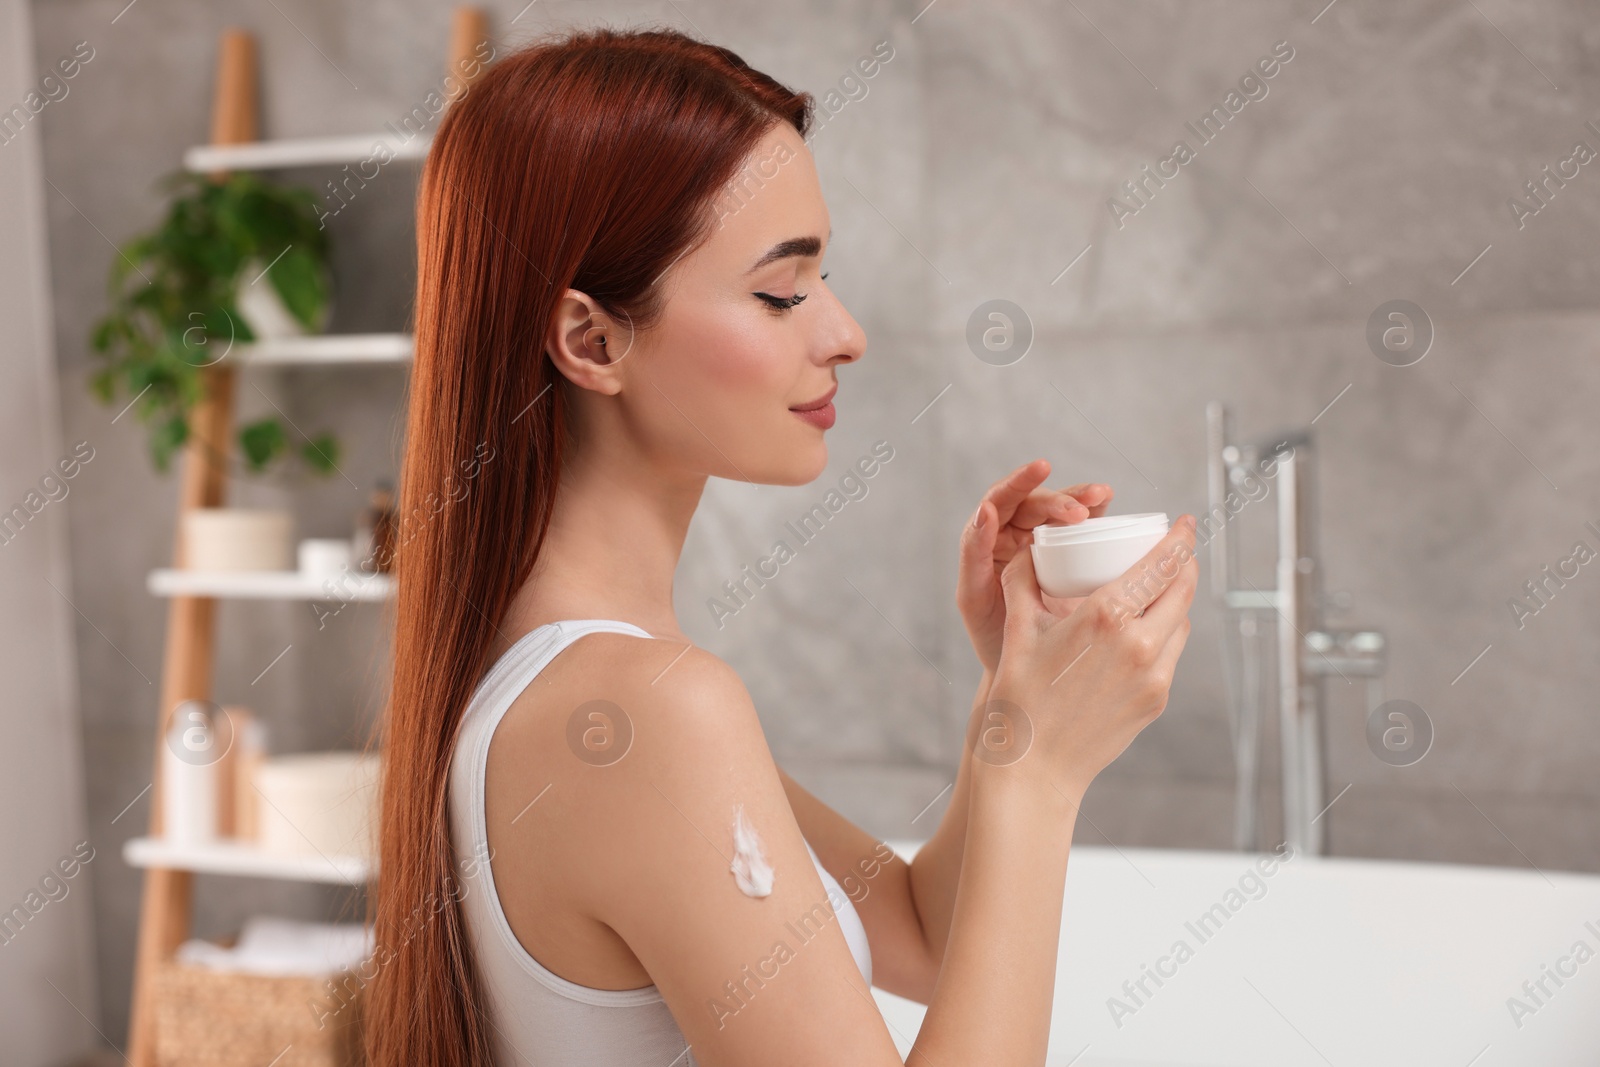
(1001,529)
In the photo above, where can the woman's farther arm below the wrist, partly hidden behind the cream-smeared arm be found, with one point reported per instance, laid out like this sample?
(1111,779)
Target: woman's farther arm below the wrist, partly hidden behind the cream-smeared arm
(905,908)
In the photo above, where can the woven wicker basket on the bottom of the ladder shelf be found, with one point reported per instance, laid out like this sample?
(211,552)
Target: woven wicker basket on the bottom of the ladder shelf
(207,1018)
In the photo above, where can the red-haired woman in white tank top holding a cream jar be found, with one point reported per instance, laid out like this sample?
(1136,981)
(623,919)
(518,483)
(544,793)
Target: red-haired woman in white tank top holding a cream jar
(588,853)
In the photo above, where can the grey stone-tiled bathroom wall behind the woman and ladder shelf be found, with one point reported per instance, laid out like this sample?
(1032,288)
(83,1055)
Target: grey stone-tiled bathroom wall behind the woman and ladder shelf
(980,162)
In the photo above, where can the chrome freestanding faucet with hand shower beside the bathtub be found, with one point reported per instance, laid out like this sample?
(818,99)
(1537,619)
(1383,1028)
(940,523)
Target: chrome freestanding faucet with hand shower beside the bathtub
(1306,653)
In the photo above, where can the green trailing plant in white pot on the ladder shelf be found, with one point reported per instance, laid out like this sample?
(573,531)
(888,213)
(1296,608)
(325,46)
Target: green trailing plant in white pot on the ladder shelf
(210,276)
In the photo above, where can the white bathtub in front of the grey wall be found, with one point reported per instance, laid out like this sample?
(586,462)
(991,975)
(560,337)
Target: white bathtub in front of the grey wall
(1324,962)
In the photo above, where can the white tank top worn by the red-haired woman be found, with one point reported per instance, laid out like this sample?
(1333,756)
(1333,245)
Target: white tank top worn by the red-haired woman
(538,1018)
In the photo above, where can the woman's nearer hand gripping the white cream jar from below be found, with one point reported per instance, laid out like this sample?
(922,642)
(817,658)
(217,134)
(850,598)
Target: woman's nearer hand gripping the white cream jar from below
(1073,692)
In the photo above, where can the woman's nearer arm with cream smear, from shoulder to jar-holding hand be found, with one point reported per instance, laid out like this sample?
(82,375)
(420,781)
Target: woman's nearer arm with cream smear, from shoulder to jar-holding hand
(642,847)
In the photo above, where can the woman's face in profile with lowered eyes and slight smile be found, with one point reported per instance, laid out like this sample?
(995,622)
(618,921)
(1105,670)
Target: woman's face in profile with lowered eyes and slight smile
(750,334)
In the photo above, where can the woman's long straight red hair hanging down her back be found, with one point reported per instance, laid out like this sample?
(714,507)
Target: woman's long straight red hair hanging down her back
(590,161)
